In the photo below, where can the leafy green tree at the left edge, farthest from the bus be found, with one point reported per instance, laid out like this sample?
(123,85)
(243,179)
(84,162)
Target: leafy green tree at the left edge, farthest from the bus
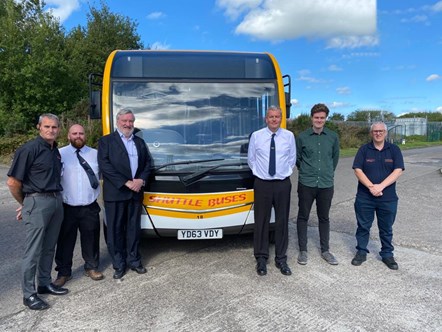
(33,71)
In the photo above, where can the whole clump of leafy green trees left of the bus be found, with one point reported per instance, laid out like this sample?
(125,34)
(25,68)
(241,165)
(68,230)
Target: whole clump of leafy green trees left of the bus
(44,70)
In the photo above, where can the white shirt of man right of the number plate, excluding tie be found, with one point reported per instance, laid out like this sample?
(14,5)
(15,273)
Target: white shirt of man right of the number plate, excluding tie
(259,153)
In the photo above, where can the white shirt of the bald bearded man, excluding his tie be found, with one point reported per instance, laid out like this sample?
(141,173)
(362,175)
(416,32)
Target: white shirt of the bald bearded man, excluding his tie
(77,190)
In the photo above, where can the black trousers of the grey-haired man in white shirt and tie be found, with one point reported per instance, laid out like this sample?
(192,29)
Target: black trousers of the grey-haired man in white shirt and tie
(268,194)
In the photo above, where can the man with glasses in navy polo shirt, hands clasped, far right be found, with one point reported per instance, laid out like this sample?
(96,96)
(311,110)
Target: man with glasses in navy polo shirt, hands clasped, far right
(377,166)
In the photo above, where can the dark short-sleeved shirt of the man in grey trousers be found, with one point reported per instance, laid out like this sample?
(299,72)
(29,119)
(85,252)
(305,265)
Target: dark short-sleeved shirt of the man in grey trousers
(38,166)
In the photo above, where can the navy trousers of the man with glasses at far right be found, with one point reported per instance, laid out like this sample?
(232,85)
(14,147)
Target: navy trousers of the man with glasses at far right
(365,209)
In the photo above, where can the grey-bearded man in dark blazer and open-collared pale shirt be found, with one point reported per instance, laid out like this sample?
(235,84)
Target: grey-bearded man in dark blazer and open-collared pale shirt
(124,163)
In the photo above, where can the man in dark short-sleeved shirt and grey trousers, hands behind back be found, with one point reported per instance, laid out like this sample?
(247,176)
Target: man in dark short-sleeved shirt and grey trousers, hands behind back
(34,181)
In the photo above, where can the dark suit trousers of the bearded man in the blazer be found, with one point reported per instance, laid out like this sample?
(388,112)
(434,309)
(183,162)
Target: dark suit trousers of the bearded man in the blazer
(123,220)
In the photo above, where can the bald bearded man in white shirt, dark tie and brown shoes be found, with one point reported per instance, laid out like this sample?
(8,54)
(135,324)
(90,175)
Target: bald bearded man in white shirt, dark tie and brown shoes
(81,210)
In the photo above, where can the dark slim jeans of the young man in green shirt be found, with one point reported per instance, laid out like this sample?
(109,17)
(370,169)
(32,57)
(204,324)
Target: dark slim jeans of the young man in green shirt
(323,197)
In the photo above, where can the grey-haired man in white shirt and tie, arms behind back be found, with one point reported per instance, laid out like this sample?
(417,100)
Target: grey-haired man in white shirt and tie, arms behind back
(272,157)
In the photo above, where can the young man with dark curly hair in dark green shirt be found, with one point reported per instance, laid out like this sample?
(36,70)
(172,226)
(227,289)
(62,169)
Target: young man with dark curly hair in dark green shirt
(317,155)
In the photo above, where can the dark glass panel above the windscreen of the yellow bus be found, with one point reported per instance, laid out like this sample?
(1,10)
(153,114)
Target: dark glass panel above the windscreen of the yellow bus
(192,65)
